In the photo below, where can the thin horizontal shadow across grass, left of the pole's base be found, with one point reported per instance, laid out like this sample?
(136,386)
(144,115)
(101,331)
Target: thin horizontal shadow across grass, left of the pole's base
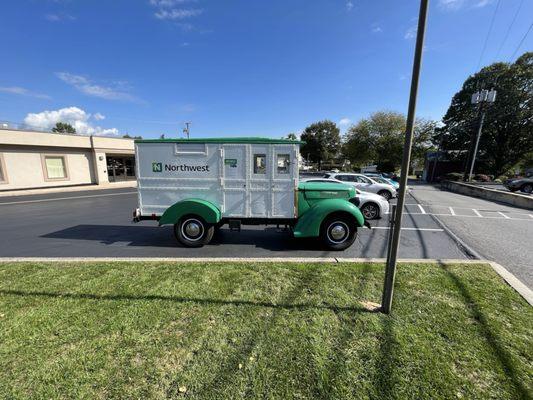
(177,299)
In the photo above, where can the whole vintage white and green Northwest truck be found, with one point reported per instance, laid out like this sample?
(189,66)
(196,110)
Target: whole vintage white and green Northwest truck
(199,185)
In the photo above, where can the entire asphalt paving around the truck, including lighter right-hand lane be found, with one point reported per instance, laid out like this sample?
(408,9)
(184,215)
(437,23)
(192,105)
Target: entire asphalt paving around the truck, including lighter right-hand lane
(98,224)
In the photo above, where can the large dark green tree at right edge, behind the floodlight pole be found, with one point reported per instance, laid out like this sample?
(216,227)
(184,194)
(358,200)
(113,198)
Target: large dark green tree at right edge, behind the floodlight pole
(507,135)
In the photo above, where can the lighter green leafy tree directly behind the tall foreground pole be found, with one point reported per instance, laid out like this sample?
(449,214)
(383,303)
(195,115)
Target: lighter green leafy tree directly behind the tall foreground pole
(380,138)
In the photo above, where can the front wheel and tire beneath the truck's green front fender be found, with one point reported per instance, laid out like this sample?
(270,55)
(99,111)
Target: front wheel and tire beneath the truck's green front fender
(333,226)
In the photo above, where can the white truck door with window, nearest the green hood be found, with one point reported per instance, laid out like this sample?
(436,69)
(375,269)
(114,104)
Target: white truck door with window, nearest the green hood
(284,178)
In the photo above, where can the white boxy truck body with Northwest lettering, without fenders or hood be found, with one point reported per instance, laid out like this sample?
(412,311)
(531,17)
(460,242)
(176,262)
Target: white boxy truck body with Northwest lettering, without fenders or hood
(243,177)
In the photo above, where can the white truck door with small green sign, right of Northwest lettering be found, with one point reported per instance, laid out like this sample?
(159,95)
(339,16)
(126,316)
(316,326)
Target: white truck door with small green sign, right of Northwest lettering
(234,180)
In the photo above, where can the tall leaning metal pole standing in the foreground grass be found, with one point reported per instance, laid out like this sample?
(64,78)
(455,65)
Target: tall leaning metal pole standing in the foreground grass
(390,271)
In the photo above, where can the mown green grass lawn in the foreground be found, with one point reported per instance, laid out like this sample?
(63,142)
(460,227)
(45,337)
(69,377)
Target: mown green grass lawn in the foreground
(231,331)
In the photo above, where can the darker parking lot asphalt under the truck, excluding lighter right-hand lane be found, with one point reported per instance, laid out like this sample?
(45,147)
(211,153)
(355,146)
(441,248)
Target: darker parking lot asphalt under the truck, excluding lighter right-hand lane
(98,224)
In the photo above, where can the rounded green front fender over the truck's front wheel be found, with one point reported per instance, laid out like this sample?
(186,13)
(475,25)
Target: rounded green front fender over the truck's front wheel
(308,224)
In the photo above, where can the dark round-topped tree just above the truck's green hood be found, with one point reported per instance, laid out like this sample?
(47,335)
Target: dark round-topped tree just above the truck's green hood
(322,142)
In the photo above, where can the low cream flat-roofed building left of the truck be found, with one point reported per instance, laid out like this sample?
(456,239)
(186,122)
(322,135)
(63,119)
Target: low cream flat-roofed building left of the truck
(31,159)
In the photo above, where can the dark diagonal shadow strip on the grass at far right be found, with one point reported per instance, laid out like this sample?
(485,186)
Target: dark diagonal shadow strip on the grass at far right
(503,357)
